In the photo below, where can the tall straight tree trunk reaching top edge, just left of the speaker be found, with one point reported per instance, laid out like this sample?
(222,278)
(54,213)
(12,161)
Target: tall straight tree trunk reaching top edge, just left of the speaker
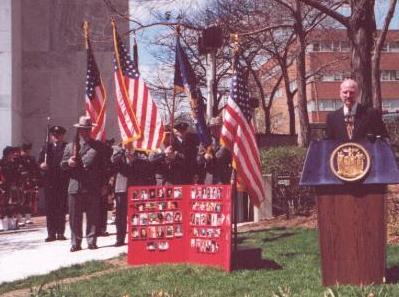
(304,128)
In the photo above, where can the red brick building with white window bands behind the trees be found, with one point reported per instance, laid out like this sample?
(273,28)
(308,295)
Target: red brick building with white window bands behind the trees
(328,56)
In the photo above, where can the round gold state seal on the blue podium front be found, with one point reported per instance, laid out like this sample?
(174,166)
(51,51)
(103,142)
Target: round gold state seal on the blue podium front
(350,162)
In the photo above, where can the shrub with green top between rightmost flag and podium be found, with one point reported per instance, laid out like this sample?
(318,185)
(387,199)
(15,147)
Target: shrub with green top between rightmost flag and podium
(285,164)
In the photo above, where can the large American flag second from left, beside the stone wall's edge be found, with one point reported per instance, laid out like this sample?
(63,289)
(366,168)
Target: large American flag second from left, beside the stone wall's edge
(138,116)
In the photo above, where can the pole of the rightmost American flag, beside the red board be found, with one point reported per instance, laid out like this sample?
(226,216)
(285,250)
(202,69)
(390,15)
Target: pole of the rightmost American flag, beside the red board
(234,38)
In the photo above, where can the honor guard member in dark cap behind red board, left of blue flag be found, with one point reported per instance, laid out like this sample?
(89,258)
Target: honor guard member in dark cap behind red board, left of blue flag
(176,164)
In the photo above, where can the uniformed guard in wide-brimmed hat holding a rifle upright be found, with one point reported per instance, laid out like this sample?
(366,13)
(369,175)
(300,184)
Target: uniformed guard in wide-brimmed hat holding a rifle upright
(82,160)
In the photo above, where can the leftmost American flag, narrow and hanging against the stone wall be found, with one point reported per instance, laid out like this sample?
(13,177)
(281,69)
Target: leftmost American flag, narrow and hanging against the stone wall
(95,96)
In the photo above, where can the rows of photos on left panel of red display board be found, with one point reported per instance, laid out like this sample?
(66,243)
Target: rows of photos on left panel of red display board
(156,216)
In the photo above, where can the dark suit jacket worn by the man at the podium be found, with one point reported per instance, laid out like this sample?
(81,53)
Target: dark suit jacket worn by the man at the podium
(367,121)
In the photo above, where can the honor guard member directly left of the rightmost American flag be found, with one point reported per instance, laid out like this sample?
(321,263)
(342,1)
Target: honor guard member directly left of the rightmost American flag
(215,162)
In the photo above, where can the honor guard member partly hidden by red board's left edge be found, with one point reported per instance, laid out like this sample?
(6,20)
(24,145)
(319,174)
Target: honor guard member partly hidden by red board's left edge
(133,168)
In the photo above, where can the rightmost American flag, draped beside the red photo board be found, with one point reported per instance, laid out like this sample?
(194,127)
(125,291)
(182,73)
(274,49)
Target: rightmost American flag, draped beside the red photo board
(238,135)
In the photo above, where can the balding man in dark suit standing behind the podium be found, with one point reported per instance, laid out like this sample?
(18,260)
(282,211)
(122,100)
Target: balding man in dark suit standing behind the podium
(353,121)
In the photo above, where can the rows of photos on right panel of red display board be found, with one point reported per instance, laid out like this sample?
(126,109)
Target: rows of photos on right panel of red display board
(206,218)
